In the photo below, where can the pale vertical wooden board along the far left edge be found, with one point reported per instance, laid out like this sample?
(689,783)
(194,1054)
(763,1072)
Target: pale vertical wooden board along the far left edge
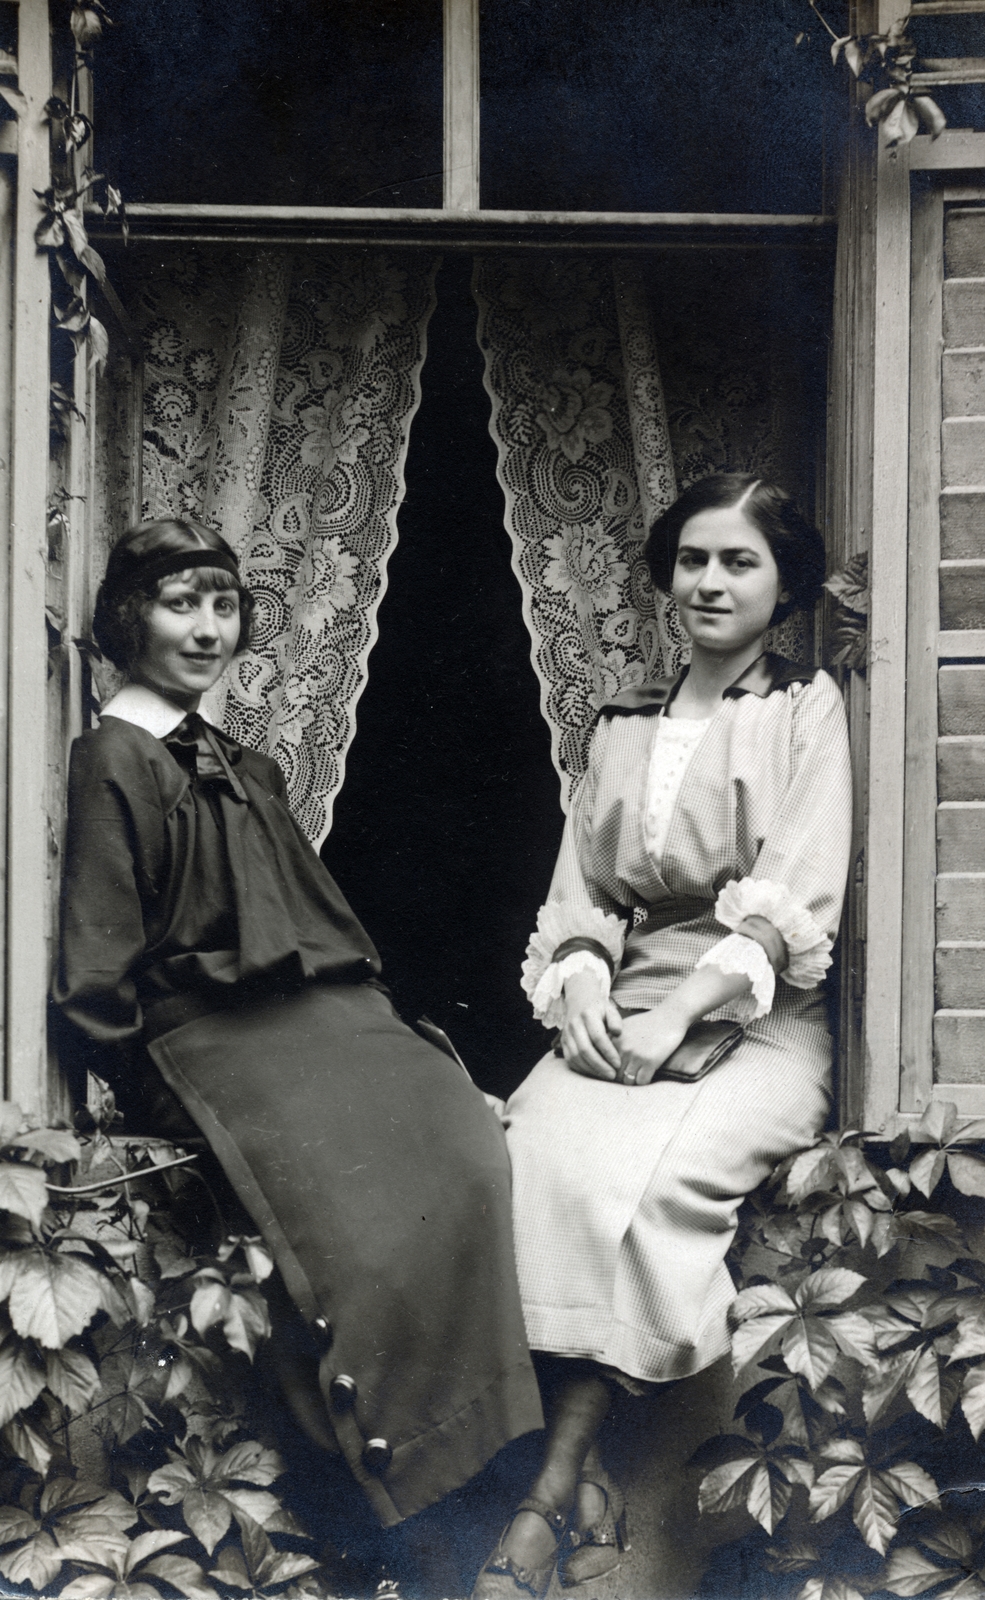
(28,839)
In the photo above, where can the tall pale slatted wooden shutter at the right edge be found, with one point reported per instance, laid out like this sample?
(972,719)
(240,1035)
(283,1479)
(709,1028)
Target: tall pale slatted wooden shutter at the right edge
(944,905)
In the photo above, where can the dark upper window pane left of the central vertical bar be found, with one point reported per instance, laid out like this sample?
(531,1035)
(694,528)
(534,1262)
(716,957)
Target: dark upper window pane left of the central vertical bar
(273,102)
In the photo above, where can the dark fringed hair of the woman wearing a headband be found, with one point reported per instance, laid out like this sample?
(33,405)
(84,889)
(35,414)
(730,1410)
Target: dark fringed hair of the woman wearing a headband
(130,585)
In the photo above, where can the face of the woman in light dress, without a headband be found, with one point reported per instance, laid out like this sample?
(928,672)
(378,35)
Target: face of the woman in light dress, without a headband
(727,582)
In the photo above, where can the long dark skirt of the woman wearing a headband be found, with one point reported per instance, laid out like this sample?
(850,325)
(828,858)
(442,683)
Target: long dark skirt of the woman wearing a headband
(381,1183)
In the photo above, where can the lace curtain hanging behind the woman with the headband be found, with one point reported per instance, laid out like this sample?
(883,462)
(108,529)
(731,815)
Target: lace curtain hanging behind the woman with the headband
(279,396)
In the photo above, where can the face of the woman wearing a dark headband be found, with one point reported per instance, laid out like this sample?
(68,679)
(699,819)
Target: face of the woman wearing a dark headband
(191,639)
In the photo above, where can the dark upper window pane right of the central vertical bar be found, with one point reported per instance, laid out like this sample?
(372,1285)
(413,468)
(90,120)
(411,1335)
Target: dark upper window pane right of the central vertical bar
(632,106)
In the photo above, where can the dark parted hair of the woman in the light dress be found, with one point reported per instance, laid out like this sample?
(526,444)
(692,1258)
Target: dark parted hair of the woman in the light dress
(797,546)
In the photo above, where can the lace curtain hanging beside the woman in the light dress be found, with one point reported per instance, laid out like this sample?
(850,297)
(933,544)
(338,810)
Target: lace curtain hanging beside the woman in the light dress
(586,463)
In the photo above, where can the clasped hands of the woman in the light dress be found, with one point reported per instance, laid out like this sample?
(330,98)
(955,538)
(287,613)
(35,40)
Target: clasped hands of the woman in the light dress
(599,1042)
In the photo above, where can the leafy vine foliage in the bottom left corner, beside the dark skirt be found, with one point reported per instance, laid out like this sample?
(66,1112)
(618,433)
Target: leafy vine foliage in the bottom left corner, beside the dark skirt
(124,1342)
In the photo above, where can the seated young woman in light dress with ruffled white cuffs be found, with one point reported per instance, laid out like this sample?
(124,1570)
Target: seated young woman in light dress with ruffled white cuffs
(704,858)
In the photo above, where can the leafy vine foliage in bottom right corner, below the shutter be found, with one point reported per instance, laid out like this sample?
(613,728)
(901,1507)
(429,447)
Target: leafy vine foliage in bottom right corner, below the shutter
(859,1326)
